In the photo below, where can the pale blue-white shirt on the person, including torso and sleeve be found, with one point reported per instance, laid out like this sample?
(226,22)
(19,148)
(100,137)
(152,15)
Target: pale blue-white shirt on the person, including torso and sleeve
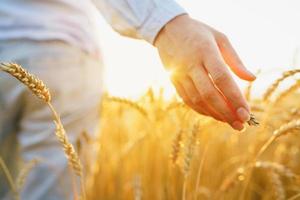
(74,21)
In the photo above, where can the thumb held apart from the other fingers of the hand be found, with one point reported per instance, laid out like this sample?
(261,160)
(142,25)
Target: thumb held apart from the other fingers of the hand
(232,59)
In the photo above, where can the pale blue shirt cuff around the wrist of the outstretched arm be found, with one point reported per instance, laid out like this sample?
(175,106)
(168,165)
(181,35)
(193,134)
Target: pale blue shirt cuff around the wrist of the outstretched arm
(165,11)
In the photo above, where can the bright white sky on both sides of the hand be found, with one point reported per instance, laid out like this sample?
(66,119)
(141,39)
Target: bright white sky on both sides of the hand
(265,33)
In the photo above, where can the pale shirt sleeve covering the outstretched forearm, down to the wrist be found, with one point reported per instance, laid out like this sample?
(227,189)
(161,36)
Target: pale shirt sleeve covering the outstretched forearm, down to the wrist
(140,19)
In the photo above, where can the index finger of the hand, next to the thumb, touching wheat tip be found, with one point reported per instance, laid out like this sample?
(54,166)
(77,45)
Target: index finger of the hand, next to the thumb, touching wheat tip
(221,77)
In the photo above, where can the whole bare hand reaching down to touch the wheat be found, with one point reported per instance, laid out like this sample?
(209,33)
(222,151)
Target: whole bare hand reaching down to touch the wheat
(198,57)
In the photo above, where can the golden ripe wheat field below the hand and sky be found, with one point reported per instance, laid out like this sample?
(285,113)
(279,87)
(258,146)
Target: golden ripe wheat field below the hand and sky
(158,149)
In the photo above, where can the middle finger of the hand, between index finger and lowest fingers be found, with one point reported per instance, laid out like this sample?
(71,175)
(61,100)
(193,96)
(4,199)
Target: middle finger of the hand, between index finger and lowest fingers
(213,97)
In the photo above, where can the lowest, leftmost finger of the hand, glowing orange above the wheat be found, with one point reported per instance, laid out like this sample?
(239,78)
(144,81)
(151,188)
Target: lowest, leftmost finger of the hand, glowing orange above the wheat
(191,97)
